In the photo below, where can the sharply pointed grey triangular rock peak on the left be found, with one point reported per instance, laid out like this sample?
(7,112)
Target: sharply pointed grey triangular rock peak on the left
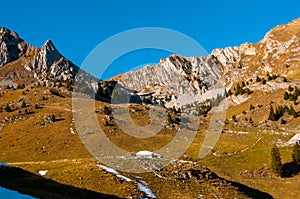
(49,64)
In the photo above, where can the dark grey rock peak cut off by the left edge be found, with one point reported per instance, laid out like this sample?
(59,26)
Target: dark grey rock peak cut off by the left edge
(11,46)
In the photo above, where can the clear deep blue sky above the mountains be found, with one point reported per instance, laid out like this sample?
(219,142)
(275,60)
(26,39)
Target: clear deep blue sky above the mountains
(76,27)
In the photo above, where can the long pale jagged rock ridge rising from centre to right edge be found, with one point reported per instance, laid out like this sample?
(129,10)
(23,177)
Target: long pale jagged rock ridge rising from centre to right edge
(277,53)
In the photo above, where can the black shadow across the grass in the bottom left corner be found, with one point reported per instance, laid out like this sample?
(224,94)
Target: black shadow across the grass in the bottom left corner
(24,182)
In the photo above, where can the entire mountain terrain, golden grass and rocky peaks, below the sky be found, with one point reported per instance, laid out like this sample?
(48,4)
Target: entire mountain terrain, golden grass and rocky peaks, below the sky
(258,86)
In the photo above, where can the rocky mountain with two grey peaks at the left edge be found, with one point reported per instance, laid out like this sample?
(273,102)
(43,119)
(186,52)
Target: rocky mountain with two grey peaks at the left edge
(46,64)
